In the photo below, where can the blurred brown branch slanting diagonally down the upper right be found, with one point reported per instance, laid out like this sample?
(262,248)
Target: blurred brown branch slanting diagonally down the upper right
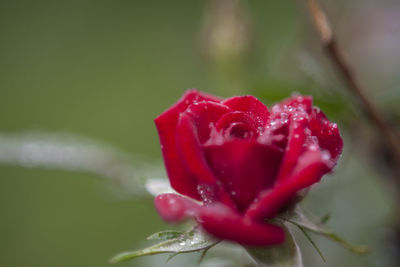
(338,59)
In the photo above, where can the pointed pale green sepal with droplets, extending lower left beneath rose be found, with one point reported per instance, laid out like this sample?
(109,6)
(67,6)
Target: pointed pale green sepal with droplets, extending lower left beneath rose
(190,241)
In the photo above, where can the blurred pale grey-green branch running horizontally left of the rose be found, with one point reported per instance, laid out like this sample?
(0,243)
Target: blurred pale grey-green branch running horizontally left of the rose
(70,153)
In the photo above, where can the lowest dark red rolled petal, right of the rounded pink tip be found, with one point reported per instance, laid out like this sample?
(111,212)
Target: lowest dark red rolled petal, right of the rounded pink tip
(226,224)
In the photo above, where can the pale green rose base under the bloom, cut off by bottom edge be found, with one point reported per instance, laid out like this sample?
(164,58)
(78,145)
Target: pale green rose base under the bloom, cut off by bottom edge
(285,255)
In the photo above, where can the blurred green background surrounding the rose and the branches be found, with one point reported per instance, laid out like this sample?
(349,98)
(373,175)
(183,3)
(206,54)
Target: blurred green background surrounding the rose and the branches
(105,69)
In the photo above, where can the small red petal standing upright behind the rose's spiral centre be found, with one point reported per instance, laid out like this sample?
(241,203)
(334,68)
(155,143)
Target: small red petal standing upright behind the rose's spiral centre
(251,106)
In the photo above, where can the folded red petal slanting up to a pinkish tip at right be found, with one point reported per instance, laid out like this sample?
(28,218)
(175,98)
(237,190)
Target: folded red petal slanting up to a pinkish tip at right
(312,165)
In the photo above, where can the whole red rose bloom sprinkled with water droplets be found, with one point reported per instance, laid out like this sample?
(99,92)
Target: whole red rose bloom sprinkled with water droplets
(237,164)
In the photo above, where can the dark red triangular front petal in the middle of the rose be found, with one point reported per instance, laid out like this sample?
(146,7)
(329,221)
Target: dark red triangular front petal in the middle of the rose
(244,167)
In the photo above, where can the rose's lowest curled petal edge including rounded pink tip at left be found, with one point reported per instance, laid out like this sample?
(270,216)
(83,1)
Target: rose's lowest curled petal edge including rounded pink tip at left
(219,220)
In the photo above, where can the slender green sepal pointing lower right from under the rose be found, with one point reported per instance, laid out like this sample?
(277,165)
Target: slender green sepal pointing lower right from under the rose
(299,218)
